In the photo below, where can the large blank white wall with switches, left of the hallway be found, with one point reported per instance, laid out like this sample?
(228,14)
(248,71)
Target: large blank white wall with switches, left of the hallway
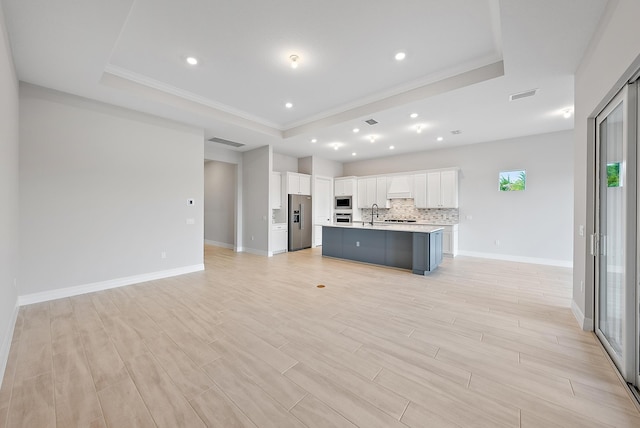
(103,192)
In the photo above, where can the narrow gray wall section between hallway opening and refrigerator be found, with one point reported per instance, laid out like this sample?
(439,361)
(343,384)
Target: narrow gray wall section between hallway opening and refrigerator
(257,166)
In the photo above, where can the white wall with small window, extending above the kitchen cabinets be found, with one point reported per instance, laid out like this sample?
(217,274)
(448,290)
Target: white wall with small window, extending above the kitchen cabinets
(534,225)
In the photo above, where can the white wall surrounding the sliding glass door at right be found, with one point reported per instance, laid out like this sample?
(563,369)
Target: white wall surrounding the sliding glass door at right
(609,60)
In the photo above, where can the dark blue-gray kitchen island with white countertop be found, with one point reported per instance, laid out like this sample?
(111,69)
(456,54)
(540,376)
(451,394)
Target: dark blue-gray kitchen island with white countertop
(416,248)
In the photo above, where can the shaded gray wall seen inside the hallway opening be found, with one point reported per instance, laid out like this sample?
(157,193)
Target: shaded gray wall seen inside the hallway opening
(220,203)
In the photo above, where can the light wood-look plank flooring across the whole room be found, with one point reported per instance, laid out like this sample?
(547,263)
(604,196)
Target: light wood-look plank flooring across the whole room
(253,342)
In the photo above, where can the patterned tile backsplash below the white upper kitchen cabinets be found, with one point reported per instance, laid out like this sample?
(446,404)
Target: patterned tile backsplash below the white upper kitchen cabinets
(404,209)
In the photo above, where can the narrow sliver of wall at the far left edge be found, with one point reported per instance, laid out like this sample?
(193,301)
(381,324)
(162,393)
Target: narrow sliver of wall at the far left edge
(8,195)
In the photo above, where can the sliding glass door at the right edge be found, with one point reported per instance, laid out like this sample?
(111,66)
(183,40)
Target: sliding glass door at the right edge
(615,242)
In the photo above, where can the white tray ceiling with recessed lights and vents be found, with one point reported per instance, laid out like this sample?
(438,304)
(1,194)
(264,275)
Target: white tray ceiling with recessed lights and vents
(463,60)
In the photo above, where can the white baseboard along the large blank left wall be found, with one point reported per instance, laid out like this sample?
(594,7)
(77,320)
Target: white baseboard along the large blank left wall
(60,293)
